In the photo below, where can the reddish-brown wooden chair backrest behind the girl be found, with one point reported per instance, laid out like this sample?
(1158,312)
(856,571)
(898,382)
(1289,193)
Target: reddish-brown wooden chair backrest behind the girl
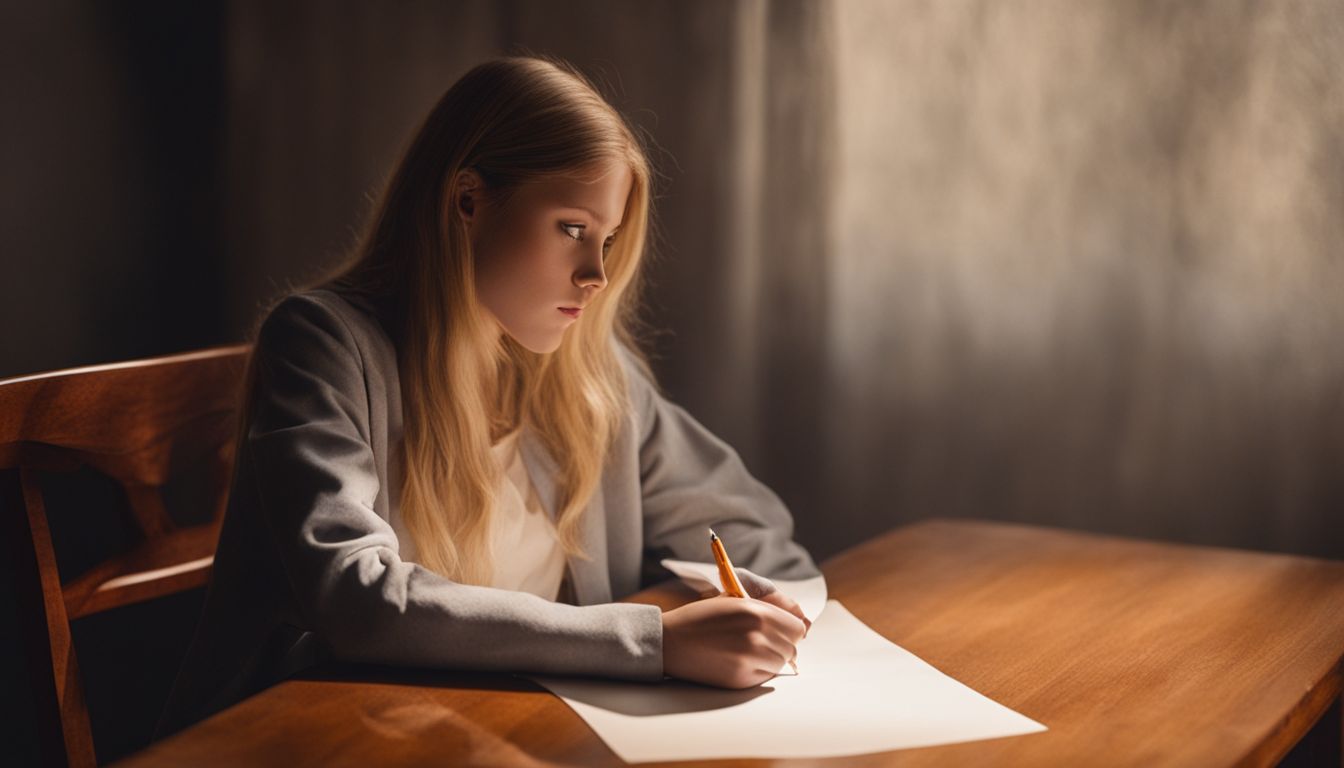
(142,424)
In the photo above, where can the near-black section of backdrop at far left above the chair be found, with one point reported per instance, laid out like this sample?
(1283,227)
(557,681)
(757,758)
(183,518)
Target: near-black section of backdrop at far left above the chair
(112,236)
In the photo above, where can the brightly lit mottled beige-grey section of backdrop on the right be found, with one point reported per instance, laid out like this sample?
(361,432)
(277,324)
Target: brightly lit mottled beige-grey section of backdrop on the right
(1088,267)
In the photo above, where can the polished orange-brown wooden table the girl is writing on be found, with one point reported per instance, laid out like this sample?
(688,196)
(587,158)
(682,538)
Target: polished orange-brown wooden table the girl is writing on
(1132,653)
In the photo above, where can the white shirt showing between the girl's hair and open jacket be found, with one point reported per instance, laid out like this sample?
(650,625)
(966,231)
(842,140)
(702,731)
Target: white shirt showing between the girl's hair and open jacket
(523,541)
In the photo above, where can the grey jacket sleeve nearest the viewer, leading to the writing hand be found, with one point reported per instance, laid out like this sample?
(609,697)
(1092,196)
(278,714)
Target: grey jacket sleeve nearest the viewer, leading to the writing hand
(317,484)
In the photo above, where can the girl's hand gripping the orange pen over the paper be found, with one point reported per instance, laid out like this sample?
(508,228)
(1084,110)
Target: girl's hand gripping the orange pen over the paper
(729,642)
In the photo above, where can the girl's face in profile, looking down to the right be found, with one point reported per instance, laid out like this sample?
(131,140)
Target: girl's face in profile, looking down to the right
(541,251)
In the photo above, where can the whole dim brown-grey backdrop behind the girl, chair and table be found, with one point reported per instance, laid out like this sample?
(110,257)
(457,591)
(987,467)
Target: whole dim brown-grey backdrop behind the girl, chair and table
(1069,264)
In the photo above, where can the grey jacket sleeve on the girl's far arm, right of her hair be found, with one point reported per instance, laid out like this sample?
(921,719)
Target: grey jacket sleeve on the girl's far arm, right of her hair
(693,481)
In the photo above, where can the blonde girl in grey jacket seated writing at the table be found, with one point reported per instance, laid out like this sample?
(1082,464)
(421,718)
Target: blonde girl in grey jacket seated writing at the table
(452,454)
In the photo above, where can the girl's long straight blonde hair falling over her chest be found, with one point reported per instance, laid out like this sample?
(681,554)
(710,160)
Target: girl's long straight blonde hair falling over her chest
(513,120)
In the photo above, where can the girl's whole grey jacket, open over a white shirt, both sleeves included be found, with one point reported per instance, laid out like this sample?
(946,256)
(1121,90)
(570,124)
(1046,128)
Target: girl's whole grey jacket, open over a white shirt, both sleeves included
(308,568)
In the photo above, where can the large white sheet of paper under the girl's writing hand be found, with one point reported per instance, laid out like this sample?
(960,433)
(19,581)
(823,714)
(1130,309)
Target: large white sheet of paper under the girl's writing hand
(855,693)
